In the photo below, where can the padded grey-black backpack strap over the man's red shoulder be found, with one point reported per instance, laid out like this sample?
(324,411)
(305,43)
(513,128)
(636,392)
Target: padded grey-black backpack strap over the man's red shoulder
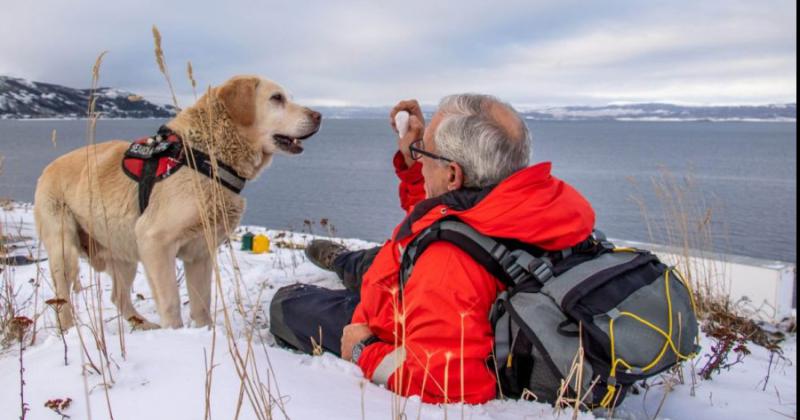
(512,267)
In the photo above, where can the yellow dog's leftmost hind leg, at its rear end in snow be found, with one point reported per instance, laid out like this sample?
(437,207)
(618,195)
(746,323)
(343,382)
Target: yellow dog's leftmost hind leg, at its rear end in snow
(58,231)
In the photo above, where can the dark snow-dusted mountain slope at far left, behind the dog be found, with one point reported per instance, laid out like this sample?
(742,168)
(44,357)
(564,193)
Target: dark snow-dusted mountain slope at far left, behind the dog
(21,99)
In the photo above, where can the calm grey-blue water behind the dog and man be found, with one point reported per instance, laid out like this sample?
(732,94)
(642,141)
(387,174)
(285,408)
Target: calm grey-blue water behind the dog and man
(744,172)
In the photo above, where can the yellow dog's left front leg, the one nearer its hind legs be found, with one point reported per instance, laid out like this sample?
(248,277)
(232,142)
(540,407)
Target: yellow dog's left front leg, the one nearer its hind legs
(157,251)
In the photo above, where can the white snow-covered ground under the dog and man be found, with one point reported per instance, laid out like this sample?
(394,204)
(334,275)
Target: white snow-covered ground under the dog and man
(177,374)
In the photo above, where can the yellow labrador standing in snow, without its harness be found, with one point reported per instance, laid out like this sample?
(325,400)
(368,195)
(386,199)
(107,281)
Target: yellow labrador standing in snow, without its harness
(86,205)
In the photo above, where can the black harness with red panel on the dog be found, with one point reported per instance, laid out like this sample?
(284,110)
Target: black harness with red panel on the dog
(151,159)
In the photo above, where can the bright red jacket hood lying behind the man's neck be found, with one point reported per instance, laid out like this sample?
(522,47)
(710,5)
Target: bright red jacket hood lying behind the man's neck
(531,206)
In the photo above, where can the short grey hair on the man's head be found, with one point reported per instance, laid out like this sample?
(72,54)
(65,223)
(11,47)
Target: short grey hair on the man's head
(471,135)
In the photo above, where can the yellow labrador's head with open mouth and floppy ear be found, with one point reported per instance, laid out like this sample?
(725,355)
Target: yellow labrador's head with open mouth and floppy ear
(263,110)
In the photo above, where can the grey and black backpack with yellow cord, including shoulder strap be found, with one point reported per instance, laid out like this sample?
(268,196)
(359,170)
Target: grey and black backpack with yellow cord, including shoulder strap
(629,315)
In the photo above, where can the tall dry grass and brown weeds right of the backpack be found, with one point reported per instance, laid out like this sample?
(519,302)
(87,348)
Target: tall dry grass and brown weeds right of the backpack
(685,220)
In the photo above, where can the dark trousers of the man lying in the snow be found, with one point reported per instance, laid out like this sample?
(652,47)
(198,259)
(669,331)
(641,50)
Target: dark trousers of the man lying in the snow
(303,316)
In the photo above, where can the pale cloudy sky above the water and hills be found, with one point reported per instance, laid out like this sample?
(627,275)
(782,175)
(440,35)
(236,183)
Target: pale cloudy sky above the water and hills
(531,53)
